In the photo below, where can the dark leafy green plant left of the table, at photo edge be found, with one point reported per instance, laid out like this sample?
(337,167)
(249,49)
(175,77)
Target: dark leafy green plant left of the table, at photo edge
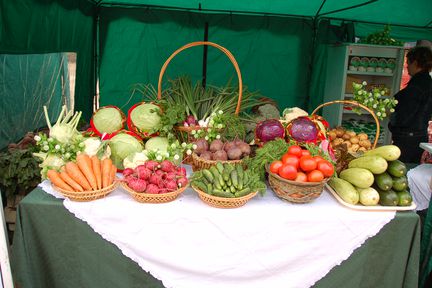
(19,171)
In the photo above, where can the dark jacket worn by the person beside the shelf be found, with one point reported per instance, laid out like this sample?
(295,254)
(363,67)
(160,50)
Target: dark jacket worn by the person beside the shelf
(414,108)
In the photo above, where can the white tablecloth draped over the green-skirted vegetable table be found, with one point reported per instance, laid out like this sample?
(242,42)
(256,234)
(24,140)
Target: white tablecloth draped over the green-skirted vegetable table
(266,243)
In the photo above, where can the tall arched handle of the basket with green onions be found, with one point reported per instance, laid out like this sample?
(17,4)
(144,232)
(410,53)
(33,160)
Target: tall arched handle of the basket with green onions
(199,43)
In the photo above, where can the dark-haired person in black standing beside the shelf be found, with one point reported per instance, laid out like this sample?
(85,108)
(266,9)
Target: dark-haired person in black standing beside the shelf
(408,124)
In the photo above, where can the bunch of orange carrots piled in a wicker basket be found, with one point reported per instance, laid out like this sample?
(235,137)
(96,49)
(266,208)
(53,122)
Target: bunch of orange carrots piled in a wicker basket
(87,174)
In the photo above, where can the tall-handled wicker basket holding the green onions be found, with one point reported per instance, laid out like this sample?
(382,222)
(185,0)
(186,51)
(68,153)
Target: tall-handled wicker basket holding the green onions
(188,130)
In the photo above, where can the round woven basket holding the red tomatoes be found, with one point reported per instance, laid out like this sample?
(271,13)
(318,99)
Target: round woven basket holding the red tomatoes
(296,192)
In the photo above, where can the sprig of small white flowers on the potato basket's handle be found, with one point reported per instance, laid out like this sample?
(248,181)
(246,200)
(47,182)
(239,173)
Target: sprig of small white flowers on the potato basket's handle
(375,99)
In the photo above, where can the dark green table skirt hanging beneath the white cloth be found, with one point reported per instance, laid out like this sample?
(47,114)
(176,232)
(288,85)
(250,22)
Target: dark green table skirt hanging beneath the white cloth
(52,248)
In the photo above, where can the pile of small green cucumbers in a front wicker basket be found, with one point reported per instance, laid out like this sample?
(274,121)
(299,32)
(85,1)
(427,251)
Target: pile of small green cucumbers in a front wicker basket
(228,181)
